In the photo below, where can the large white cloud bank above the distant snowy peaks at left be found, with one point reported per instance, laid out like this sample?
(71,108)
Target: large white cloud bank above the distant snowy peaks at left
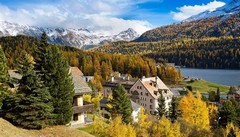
(98,15)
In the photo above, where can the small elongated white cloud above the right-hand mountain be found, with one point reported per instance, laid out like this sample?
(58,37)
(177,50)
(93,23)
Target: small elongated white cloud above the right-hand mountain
(188,11)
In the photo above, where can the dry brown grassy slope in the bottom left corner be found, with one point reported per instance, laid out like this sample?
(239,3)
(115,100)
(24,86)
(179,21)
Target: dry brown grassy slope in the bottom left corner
(8,130)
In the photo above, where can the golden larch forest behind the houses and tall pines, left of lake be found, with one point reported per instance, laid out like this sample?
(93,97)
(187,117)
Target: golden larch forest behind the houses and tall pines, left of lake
(91,63)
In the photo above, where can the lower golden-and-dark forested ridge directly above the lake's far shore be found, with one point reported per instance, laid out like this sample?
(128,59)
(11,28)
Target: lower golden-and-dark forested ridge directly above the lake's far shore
(221,53)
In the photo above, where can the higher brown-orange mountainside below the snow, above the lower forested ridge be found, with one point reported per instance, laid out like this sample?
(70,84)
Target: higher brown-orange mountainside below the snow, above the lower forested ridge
(211,27)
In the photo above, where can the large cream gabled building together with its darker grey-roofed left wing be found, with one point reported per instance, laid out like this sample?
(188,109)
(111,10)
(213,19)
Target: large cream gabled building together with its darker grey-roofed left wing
(144,92)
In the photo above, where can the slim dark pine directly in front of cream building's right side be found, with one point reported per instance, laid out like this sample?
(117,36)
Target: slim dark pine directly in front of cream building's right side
(161,109)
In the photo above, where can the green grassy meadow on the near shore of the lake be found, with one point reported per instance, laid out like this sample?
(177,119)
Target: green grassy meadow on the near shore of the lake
(205,86)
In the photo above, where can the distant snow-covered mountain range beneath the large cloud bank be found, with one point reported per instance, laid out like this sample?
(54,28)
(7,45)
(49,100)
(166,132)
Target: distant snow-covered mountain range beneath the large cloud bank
(80,38)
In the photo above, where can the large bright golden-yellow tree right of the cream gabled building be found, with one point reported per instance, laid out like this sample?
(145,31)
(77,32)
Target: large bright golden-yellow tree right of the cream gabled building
(194,110)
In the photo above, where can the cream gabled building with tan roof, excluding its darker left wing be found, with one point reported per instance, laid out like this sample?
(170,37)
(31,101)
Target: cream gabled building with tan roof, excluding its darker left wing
(146,92)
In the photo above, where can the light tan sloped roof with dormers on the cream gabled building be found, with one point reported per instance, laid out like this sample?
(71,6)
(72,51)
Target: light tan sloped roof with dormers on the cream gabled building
(152,86)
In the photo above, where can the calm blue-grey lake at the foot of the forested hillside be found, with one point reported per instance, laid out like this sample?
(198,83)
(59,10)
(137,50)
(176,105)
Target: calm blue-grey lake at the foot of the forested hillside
(220,76)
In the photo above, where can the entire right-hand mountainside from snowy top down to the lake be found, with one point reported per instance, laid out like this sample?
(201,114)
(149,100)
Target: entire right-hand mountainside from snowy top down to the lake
(207,40)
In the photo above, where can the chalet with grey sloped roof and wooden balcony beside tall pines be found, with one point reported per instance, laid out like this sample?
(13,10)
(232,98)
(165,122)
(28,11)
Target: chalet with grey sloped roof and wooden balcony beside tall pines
(80,107)
